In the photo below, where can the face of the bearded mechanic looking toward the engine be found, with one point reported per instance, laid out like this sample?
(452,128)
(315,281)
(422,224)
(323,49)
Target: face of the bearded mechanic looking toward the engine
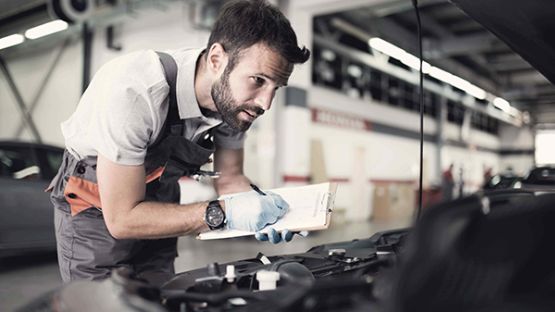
(247,91)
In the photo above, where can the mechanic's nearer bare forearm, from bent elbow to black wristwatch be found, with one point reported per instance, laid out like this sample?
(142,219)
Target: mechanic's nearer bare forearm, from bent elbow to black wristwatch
(152,220)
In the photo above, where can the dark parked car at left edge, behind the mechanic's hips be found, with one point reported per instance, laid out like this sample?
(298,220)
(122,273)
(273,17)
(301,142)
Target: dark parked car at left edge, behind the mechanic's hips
(27,222)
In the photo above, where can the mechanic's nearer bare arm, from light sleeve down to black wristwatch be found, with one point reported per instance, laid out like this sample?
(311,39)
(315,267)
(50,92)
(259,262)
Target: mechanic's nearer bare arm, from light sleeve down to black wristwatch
(127,215)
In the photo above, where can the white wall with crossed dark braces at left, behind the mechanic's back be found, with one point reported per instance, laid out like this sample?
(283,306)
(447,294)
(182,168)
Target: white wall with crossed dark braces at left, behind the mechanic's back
(58,100)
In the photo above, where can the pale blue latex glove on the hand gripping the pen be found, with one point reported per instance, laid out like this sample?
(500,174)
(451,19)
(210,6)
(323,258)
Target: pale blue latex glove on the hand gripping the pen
(252,211)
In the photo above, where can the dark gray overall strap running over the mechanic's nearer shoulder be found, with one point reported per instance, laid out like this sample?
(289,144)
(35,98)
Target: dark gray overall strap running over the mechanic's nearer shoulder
(172,124)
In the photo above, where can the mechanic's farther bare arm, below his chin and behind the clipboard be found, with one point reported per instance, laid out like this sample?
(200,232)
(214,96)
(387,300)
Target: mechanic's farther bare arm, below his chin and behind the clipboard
(229,162)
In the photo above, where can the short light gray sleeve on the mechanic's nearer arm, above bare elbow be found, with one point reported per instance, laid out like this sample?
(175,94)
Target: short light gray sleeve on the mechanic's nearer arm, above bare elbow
(122,121)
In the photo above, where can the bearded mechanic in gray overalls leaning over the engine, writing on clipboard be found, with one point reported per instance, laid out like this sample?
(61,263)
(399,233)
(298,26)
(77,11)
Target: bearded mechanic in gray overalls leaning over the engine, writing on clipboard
(135,133)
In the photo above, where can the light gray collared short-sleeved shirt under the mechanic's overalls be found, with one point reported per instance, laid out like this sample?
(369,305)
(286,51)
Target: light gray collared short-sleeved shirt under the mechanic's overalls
(124,108)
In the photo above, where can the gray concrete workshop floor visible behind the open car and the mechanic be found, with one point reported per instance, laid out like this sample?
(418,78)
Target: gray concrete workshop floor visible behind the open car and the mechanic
(25,278)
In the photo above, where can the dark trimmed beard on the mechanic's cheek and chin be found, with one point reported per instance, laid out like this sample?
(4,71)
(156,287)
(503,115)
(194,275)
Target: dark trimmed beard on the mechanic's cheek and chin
(228,107)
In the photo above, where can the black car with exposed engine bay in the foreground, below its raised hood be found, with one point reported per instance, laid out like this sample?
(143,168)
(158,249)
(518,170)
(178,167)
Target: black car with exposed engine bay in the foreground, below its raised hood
(480,253)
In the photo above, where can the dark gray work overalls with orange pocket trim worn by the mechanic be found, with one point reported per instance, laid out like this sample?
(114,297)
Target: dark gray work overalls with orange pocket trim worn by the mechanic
(86,250)
